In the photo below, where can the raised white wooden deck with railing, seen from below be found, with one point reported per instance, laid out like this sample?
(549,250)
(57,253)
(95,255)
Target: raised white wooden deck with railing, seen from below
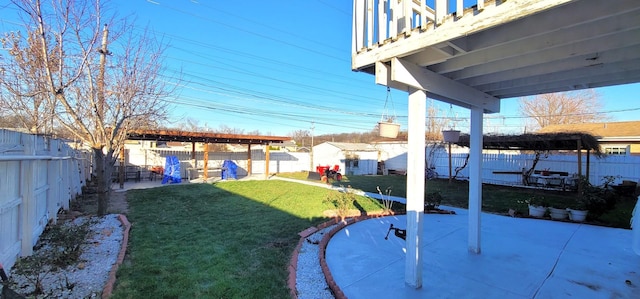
(497,49)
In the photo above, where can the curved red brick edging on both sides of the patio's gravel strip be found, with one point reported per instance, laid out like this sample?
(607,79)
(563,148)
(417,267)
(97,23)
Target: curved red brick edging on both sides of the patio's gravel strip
(293,262)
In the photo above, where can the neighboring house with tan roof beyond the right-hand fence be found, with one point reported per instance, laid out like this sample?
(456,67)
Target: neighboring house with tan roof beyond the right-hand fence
(615,138)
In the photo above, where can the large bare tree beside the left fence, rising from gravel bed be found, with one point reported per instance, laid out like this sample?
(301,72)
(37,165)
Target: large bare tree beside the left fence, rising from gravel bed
(100,75)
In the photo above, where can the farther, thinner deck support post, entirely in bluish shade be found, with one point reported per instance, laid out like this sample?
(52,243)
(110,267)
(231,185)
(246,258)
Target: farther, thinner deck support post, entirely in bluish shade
(475,179)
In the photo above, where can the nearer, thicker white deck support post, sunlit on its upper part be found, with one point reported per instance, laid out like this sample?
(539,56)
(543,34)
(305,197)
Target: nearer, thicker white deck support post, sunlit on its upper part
(415,186)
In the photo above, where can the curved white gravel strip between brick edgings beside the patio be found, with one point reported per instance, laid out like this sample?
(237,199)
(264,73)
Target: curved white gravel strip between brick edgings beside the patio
(310,281)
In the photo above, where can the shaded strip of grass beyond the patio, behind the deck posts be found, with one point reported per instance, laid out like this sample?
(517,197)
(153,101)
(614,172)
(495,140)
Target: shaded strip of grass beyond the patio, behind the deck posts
(495,199)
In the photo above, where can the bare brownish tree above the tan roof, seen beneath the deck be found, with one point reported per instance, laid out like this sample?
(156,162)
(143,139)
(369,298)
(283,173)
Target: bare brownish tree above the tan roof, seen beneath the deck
(572,107)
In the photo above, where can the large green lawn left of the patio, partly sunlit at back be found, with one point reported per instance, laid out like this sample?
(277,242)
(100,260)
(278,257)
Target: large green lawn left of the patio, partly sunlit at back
(227,240)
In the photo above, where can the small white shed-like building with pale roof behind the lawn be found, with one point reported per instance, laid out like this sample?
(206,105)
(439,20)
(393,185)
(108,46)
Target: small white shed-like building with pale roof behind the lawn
(352,158)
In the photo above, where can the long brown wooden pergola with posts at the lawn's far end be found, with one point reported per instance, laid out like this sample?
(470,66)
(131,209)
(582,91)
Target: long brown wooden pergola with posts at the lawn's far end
(207,138)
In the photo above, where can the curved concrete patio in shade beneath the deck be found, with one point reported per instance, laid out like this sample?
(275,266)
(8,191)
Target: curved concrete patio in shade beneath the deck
(521,258)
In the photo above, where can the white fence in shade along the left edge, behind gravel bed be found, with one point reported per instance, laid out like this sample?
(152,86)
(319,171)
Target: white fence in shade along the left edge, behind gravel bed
(38,177)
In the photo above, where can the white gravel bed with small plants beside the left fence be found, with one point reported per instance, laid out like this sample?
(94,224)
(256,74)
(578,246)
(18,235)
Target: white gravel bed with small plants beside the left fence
(90,275)
